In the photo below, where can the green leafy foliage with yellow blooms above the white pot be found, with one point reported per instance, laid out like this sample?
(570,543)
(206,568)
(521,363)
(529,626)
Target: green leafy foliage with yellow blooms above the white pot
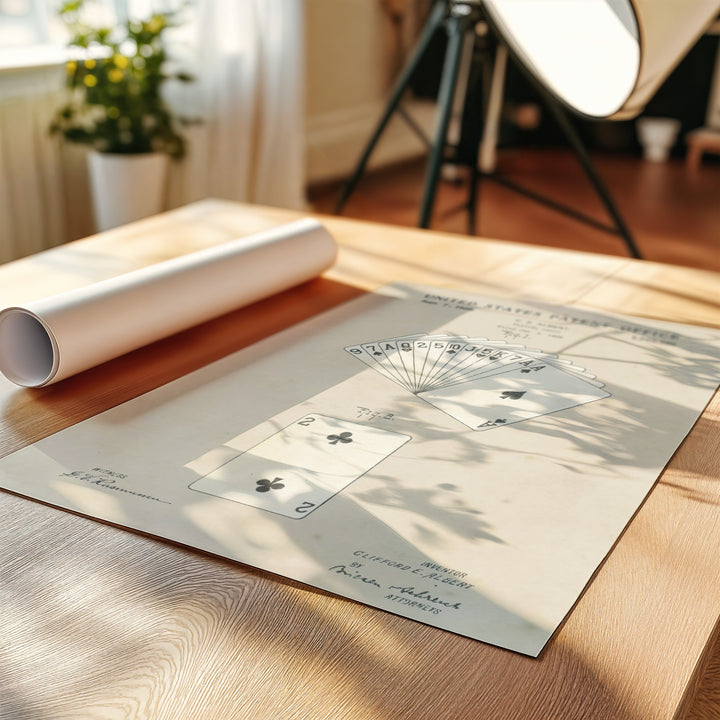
(114,101)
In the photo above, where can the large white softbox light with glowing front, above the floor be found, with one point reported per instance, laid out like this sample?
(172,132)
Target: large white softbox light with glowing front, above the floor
(602,58)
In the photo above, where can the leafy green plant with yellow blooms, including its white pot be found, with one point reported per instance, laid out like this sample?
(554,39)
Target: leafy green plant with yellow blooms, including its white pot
(115,106)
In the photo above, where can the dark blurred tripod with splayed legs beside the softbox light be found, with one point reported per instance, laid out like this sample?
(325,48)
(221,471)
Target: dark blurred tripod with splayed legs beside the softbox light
(460,18)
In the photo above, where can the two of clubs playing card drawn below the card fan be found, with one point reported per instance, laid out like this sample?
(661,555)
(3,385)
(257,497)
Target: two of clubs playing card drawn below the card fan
(298,468)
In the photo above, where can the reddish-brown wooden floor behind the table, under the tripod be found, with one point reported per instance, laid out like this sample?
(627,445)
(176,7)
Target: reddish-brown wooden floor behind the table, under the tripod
(673,214)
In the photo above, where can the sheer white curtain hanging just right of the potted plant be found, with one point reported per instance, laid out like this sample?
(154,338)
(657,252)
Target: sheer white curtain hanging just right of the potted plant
(248,96)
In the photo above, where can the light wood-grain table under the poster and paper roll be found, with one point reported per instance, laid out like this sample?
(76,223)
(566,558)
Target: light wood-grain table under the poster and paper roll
(99,622)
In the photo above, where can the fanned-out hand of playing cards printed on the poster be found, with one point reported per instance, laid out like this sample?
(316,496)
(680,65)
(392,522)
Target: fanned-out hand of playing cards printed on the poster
(481,383)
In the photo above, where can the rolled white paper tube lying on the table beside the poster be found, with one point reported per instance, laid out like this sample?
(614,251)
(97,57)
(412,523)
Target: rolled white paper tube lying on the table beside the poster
(53,338)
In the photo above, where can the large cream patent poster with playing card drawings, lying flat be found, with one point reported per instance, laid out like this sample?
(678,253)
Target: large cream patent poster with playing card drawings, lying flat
(463,461)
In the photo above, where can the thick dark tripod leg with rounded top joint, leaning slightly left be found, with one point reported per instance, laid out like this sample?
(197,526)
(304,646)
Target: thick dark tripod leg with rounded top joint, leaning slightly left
(457,26)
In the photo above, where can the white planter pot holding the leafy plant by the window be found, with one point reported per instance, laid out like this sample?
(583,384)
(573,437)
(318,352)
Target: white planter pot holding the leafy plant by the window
(126,187)
